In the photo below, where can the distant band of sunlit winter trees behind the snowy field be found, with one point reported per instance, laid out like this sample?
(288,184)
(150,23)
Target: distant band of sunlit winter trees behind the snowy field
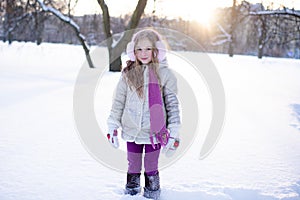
(248,29)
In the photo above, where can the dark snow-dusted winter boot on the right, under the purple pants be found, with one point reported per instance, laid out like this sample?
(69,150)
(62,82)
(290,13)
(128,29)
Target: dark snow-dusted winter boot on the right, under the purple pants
(152,187)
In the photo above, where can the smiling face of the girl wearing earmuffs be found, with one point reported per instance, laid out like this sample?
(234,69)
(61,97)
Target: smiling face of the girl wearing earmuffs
(143,51)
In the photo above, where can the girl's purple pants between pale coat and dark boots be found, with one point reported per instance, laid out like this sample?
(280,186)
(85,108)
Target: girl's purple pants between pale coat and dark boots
(135,156)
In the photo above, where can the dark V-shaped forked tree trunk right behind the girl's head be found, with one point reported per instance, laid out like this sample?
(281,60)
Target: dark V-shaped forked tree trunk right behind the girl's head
(115,49)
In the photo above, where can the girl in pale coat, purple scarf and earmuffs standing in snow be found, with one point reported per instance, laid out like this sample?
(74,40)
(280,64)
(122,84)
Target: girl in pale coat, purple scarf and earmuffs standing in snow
(146,107)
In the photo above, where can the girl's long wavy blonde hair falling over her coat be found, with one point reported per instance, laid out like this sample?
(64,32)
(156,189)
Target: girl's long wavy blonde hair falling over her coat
(133,72)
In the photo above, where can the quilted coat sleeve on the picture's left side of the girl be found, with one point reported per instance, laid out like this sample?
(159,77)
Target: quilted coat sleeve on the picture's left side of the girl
(118,104)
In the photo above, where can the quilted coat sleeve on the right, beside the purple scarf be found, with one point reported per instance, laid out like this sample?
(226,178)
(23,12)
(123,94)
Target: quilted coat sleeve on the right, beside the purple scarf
(171,103)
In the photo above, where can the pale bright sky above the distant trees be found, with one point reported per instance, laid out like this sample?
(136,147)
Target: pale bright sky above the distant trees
(172,8)
